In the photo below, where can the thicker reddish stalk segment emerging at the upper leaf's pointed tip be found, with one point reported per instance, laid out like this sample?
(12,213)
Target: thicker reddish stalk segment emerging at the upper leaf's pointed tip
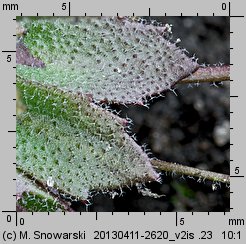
(208,74)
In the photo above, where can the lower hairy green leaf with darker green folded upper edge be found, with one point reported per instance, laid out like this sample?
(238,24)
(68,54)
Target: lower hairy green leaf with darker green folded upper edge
(65,139)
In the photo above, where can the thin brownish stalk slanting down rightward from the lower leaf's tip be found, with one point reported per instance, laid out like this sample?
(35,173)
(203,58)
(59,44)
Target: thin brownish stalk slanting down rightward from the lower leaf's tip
(190,171)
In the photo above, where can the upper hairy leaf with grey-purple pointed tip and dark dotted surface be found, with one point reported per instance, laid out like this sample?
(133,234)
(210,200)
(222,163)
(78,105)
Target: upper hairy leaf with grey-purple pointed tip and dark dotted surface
(113,60)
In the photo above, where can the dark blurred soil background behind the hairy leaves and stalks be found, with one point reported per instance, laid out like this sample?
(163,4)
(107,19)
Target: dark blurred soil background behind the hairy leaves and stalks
(191,128)
